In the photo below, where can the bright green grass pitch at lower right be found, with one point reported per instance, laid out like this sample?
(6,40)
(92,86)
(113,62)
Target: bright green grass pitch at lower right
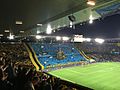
(99,76)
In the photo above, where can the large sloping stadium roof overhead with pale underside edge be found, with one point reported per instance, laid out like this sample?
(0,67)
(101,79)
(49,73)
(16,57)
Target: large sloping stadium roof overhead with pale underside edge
(32,12)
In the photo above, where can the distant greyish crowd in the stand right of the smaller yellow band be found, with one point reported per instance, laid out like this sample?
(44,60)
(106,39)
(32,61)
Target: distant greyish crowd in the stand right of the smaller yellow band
(101,52)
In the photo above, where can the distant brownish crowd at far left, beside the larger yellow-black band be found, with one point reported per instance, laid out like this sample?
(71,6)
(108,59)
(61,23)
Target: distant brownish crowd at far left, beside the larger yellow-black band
(14,51)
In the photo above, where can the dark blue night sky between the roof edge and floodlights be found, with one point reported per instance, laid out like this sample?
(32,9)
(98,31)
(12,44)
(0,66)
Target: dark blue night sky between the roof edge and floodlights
(108,27)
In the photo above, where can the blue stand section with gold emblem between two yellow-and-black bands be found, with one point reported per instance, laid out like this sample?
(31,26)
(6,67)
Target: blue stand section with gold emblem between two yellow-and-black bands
(56,54)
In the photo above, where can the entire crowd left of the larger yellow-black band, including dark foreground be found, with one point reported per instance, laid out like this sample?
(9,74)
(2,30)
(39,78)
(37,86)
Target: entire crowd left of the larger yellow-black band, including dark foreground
(14,75)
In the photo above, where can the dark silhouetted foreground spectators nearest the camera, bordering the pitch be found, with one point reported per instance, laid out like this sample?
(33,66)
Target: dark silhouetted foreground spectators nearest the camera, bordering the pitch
(14,77)
